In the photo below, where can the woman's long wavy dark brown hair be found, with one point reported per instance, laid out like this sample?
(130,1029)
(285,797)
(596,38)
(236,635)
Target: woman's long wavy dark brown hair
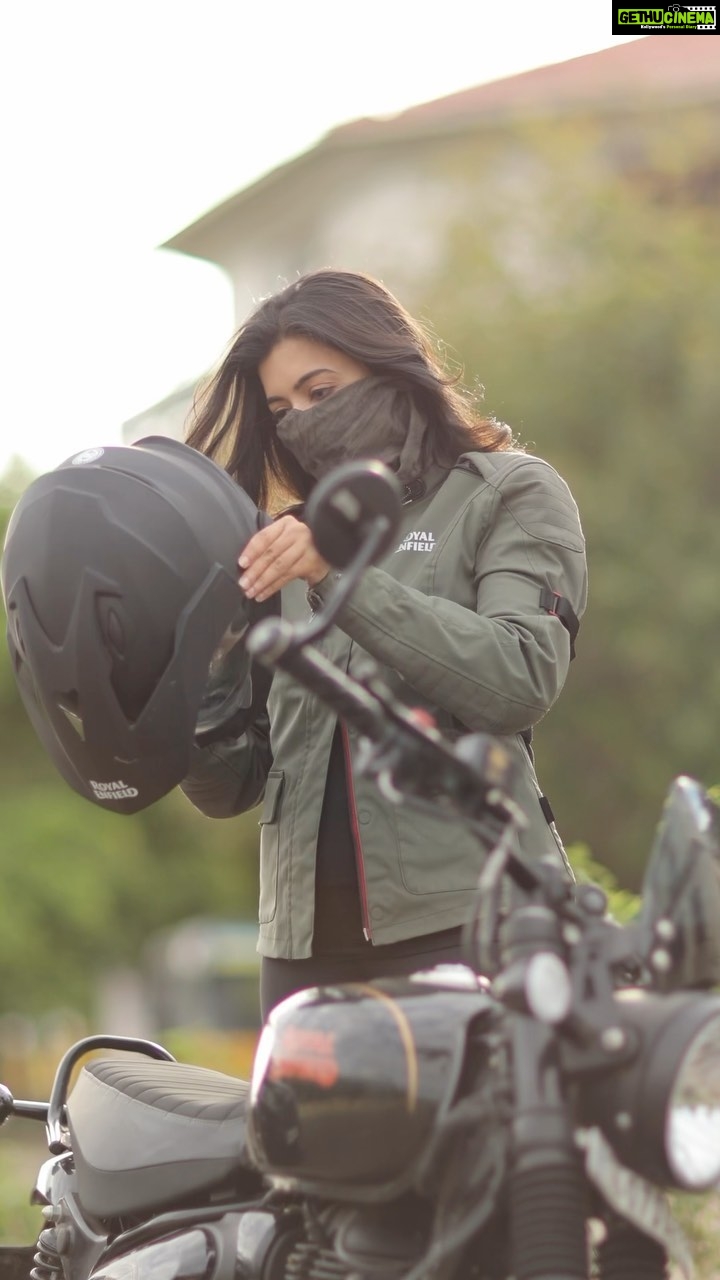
(352,312)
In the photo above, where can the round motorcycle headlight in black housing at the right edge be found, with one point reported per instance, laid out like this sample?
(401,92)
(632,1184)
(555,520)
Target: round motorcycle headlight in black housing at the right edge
(662,1112)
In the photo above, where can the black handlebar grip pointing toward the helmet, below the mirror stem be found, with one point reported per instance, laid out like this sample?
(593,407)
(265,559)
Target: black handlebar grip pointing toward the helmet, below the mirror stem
(274,643)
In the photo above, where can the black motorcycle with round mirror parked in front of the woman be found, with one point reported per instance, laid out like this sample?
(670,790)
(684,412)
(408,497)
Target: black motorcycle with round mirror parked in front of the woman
(522,1116)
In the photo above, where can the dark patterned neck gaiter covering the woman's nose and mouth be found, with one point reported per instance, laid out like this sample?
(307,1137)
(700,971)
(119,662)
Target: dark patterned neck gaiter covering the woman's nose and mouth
(368,419)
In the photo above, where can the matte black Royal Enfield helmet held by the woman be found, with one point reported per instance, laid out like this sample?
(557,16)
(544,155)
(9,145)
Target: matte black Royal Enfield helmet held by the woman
(125,615)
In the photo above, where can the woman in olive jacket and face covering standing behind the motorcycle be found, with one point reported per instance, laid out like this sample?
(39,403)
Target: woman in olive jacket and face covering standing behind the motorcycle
(472,618)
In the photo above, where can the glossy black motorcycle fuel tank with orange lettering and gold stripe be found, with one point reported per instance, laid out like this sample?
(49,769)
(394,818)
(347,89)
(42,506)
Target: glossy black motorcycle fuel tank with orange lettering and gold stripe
(349,1081)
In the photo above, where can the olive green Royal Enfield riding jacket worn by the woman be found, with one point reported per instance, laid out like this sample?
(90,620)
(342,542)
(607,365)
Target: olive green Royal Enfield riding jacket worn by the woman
(455,620)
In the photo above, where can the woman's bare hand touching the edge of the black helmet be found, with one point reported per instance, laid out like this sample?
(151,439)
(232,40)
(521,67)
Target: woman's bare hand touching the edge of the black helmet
(279,555)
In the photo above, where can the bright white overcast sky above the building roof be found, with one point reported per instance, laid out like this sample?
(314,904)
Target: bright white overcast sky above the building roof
(122,124)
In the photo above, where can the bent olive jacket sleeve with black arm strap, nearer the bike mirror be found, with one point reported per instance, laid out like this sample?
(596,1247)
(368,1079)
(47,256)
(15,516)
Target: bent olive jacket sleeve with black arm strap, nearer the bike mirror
(498,668)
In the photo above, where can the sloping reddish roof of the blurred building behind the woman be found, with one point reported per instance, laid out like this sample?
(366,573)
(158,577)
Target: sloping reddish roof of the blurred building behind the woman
(650,67)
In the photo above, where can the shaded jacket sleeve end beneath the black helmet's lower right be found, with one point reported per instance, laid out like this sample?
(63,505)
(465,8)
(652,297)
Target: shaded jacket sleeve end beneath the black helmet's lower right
(230,778)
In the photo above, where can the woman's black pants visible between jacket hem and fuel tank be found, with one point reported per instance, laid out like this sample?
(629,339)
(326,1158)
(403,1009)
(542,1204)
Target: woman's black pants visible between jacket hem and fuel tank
(281,979)
